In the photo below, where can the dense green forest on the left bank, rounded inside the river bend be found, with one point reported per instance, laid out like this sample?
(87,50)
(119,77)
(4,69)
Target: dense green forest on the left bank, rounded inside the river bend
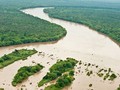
(18,28)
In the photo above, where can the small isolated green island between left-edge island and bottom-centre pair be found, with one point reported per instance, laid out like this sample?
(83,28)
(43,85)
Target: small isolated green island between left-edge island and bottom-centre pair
(24,72)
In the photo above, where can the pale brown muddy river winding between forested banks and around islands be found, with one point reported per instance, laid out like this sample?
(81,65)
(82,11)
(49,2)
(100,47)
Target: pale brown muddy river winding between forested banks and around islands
(80,42)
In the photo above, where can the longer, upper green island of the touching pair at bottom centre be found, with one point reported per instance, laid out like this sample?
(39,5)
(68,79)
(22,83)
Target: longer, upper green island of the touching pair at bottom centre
(58,69)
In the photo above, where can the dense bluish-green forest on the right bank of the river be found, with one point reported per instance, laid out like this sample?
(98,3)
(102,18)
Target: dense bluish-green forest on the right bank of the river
(104,20)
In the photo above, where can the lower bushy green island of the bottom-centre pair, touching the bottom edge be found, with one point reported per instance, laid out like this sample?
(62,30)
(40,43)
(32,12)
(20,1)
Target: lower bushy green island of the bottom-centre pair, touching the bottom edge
(63,81)
